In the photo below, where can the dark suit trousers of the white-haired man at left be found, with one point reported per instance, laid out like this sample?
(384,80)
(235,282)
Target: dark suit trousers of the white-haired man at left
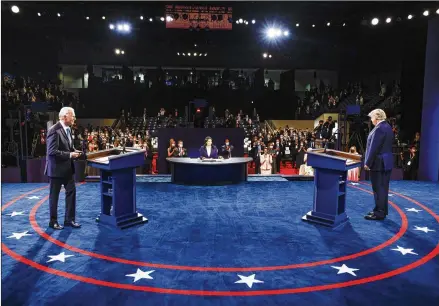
(55,188)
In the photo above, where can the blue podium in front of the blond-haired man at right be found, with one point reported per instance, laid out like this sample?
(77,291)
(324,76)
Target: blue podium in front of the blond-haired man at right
(330,176)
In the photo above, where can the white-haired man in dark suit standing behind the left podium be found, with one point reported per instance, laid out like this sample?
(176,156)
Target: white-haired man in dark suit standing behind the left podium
(60,169)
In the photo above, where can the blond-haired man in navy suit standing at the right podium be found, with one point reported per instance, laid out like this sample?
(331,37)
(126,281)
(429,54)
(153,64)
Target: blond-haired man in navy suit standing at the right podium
(379,161)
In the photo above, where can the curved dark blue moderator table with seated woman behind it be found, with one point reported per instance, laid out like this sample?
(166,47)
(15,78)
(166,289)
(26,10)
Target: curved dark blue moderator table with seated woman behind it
(185,170)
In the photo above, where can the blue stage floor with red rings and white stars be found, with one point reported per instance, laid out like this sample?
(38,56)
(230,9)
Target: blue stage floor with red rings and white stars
(222,245)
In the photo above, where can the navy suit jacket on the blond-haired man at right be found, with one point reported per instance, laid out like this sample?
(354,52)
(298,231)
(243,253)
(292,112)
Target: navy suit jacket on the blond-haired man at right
(379,155)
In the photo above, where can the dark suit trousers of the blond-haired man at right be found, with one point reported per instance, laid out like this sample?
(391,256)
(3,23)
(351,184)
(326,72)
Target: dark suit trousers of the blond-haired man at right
(380,185)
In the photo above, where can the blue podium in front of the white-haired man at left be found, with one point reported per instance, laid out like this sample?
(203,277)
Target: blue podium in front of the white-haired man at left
(118,185)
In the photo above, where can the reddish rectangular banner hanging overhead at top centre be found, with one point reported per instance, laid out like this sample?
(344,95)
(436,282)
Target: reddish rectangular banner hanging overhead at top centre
(198,17)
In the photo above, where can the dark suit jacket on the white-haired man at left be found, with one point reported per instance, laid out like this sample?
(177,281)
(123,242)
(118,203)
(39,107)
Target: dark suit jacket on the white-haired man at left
(58,161)
